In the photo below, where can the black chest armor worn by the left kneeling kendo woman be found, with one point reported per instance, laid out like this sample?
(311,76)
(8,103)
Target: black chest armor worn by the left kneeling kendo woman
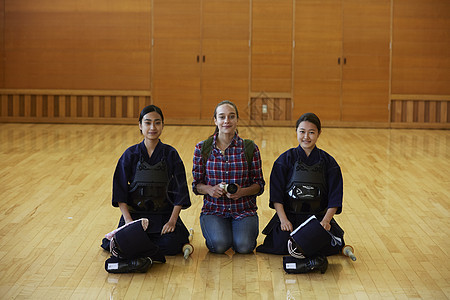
(148,191)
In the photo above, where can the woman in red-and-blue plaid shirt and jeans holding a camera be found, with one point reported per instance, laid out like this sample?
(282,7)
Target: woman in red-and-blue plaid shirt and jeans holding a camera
(228,220)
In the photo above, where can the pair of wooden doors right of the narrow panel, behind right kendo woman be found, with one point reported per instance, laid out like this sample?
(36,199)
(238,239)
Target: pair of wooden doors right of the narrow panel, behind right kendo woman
(341,68)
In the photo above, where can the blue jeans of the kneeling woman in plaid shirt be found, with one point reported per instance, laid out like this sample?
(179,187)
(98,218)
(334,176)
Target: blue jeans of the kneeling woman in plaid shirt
(222,233)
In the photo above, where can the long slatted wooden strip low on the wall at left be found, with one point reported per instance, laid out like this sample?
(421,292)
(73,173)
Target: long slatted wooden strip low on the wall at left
(58,107)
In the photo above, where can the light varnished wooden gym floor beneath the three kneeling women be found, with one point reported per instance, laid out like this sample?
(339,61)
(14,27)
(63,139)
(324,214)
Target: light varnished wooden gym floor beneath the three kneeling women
(56,206)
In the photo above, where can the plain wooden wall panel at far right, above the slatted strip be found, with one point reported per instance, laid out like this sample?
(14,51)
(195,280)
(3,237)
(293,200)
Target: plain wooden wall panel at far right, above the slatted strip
(421,43)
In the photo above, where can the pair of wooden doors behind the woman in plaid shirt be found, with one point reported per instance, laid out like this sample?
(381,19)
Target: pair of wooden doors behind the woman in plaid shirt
(201,55)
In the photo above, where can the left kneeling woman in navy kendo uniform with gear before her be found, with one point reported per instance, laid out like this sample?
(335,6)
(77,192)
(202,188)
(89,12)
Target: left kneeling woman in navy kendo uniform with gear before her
(150,188)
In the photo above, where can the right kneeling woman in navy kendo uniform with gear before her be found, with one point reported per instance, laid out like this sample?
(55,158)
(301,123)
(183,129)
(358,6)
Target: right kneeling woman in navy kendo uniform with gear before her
(306,190)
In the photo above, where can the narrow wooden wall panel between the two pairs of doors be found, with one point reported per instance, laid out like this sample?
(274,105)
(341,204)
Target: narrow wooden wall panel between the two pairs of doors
(272,36)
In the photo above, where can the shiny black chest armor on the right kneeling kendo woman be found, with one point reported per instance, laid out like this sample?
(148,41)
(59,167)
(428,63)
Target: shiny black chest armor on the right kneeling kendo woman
(307,189)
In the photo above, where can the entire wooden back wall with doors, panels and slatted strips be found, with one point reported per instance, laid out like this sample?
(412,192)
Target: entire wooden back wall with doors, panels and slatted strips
(94,55)
